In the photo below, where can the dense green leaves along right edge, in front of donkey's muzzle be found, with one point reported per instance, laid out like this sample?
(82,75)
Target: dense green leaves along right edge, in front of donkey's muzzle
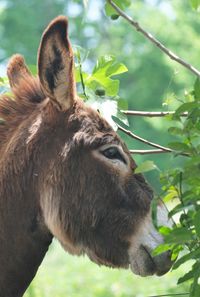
(182,186)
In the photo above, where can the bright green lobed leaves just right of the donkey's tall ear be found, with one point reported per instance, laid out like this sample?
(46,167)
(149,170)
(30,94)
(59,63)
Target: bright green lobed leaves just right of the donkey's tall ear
(99,89)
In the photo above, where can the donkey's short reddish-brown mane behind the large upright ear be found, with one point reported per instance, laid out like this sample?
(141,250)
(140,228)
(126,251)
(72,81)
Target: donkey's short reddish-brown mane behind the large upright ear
(18,106)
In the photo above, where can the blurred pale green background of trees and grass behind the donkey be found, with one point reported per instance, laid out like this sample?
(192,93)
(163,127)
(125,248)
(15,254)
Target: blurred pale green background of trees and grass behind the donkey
(152,83)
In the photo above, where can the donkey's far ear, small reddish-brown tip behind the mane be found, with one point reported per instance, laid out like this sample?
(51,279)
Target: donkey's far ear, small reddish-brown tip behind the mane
(17,70)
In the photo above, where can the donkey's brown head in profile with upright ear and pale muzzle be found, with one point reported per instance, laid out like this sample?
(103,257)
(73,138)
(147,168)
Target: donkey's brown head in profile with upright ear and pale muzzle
(90,197)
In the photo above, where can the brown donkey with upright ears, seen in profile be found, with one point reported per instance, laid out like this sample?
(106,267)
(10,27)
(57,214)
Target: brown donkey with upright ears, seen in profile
(65,173)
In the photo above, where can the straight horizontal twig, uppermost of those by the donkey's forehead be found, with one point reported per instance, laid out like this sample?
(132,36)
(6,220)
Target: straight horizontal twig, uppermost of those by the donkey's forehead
(151,114)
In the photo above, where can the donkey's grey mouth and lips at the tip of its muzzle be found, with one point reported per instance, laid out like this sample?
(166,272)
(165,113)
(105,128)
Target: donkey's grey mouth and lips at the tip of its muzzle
(144,264)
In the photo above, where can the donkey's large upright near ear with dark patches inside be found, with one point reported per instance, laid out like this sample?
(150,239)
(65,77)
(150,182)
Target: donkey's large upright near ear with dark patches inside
(55,64)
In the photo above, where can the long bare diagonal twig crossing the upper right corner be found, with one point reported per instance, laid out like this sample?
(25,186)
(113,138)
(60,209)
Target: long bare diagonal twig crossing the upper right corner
(155,41)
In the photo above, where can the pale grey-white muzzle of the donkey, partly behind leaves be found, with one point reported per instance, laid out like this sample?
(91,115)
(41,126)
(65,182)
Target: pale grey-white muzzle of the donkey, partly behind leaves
(142,262)
